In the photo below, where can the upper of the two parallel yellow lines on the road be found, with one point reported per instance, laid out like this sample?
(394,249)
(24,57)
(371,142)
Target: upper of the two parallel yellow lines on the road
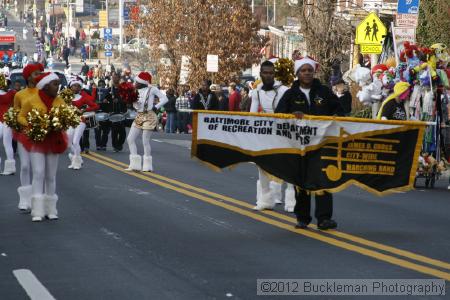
(280,216)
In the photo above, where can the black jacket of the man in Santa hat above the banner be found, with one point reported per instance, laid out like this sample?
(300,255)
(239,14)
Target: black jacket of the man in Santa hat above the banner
(323,101)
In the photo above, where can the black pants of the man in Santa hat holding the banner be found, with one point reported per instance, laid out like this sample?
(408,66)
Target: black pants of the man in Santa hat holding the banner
(324,207)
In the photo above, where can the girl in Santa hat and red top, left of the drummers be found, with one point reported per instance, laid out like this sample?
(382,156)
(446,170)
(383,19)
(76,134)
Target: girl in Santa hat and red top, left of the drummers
(85,103)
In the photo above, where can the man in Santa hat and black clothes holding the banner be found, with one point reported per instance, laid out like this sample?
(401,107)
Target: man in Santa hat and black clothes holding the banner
(308,96)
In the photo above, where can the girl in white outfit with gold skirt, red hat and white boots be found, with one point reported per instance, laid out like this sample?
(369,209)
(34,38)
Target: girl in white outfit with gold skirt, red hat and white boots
(145,122)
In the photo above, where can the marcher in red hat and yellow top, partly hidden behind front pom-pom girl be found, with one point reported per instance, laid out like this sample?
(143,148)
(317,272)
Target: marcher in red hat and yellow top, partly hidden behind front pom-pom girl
(30,73)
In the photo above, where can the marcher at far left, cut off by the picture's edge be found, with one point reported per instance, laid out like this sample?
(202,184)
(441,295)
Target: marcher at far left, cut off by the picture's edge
(6,100)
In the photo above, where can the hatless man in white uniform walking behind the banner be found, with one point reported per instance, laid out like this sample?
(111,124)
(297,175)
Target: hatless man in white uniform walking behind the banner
(266,97)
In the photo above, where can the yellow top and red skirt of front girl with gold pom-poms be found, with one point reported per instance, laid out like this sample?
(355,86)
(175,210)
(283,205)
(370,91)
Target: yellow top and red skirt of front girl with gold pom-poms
(55,141)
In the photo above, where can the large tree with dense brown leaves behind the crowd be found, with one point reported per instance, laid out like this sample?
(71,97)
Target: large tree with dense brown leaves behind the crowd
(196,28)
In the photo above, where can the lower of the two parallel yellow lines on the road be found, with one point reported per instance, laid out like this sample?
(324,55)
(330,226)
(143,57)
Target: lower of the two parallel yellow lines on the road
(311,234)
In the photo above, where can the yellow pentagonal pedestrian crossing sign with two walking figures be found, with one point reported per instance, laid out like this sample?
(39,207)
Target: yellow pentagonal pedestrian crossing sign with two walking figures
(371,31)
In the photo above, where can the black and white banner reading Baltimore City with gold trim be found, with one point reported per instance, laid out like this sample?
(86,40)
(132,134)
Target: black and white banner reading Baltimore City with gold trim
(314,153)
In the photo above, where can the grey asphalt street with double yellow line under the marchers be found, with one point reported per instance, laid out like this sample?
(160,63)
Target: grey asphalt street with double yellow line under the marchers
(187,232)
